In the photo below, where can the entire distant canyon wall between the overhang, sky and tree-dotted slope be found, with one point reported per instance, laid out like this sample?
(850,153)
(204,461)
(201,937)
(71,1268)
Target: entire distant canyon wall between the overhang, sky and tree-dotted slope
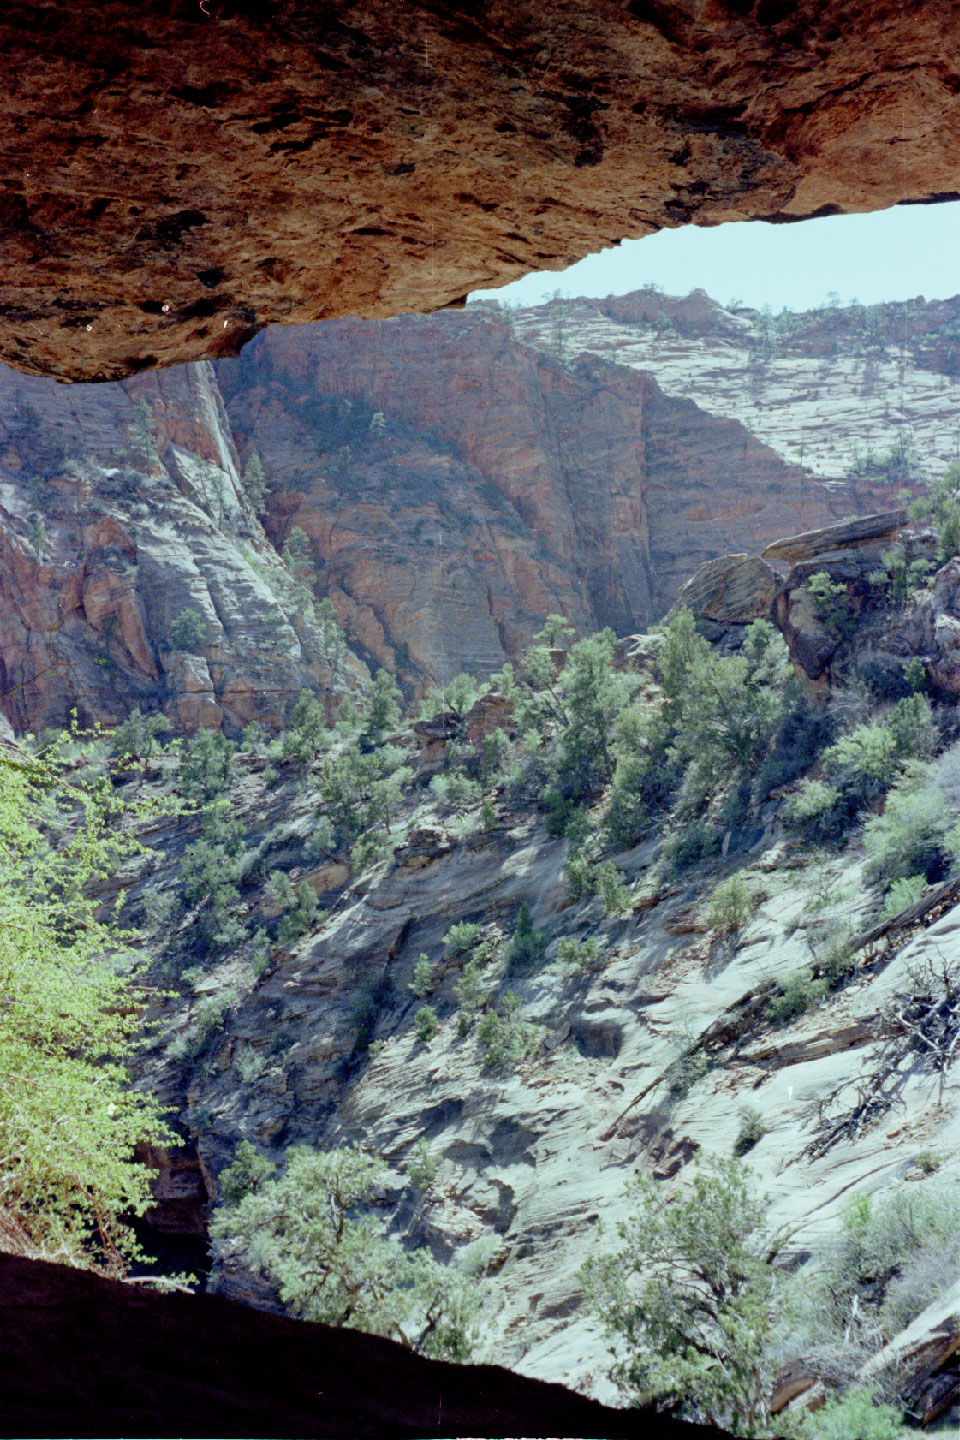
(457,477)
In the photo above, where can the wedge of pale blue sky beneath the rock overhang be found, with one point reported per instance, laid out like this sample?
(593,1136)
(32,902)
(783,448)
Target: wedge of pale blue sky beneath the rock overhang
(895,254)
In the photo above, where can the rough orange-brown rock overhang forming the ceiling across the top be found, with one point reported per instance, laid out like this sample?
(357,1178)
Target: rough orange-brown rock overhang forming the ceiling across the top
(181,175)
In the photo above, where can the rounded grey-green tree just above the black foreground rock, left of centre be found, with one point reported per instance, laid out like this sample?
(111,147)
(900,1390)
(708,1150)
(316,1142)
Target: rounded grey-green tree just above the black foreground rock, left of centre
(314,1233)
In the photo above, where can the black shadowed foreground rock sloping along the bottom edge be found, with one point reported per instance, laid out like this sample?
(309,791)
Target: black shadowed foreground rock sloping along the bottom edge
(90,1357)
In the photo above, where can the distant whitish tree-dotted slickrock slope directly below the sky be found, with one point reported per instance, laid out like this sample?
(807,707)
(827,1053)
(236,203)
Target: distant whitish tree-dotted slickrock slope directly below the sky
(851,394)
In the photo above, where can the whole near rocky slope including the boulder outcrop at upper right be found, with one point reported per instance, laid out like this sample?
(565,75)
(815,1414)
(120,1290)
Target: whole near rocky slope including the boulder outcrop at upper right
(646,1056)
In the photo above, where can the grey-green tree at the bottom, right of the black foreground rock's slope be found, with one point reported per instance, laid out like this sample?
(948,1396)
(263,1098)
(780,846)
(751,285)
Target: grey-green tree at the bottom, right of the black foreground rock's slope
(689,1300)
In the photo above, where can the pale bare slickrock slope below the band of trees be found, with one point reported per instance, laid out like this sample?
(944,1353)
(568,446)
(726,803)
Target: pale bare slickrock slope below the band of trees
(532,1158)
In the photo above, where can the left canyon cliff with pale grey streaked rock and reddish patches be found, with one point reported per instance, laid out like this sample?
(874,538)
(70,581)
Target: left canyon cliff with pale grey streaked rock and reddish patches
(110,534)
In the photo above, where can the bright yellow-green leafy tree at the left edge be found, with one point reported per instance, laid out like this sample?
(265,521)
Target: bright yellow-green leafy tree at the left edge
(70,1022)
